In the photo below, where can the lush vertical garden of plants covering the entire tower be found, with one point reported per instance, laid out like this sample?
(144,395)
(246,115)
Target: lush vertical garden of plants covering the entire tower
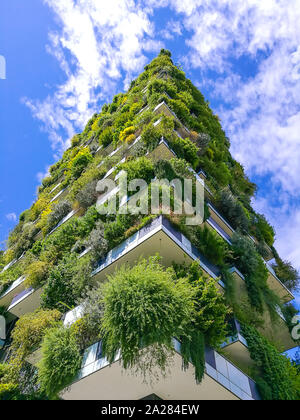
(140,308)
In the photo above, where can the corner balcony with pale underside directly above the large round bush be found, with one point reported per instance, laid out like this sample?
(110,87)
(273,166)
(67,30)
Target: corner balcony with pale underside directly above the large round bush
(158,237)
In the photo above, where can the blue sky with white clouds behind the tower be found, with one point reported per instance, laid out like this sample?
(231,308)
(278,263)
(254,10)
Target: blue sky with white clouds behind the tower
(65,58)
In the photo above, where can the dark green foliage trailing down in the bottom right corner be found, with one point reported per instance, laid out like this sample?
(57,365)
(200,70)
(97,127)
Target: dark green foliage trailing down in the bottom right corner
(280,379)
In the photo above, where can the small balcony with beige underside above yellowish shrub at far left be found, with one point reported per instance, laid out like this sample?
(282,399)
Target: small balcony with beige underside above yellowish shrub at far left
(26,301)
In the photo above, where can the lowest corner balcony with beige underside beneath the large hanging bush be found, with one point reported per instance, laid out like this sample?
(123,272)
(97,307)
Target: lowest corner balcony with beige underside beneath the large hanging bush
(99,380)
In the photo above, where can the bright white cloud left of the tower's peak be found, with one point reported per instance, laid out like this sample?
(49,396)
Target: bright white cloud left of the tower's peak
(105,41)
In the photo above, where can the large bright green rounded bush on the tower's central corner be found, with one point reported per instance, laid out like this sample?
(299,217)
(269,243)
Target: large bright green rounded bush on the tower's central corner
(144,306)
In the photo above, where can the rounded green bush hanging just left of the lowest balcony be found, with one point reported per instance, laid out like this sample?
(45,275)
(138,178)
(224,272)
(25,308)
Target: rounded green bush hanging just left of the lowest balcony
(61,360)
